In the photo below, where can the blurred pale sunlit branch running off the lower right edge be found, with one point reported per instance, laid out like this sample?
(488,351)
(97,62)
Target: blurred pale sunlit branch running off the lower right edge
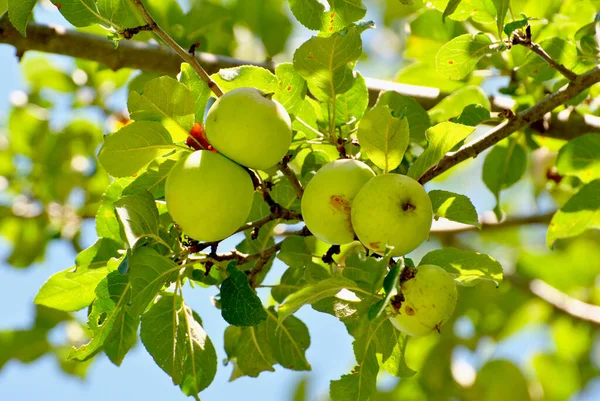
(559,300)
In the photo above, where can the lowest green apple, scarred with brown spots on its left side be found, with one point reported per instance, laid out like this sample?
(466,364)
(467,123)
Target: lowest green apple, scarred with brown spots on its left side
(427,300)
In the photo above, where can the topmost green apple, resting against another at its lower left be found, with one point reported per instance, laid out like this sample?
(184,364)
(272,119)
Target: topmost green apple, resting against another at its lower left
(250,128)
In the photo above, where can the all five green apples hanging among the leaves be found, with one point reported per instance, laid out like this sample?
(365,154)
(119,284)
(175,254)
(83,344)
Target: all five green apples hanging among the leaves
(209,194)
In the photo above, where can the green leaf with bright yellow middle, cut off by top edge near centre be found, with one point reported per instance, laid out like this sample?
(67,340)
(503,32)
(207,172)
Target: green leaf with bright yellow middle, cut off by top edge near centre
(341,13)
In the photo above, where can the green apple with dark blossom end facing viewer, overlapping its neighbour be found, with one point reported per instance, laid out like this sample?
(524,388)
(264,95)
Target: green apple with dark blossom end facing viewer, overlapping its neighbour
(393,210)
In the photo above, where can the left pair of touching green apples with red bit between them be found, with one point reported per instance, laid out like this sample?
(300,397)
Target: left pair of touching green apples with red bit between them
(208,192)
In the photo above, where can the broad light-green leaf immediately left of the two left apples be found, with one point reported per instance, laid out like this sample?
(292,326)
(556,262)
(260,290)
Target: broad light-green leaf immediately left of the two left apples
(129,150)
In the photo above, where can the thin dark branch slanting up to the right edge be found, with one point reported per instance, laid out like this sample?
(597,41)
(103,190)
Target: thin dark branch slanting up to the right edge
(520,120)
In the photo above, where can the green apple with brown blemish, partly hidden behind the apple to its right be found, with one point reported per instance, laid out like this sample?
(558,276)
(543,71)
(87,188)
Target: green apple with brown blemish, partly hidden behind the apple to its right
(328,196)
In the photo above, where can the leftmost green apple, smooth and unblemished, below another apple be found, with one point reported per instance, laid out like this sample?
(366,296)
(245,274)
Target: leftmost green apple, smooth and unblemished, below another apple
(208,195)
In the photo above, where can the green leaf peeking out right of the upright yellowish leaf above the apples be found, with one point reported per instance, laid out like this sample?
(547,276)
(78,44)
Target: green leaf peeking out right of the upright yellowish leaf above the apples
(418,119)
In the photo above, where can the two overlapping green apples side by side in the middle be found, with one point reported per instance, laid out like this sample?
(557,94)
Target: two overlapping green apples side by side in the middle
(345,199)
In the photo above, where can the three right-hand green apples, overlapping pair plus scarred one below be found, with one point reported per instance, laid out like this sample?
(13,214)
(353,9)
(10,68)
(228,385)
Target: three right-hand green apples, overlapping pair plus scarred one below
(346,201)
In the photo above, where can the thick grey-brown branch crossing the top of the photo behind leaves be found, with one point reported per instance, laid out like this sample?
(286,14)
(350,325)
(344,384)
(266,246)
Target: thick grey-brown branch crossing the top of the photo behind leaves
(162,60)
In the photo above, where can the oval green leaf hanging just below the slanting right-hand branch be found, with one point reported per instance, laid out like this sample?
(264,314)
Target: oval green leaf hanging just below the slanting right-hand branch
(503,167)
